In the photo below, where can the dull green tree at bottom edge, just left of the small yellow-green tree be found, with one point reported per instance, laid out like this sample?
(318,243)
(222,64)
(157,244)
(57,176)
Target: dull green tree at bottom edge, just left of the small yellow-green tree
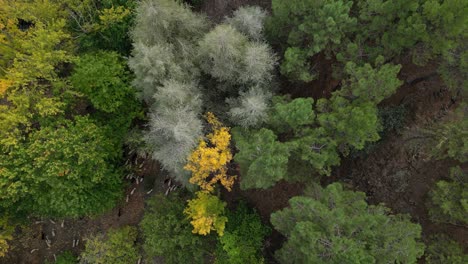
(167,232)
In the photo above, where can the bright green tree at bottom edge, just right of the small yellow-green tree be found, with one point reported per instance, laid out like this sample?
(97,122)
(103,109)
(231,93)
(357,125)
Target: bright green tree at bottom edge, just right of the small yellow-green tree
(243,237)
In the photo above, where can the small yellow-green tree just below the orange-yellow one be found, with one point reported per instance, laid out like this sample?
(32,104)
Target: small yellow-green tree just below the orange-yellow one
(207,214)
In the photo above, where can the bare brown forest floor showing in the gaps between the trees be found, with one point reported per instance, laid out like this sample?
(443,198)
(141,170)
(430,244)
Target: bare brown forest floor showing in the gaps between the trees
(396,172)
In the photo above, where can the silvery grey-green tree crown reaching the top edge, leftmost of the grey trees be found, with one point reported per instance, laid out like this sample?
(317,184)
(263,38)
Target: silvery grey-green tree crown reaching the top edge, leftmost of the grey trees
(164,45)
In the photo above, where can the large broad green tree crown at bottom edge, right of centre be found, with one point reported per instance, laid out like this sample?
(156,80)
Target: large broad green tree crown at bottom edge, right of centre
(333,225)
